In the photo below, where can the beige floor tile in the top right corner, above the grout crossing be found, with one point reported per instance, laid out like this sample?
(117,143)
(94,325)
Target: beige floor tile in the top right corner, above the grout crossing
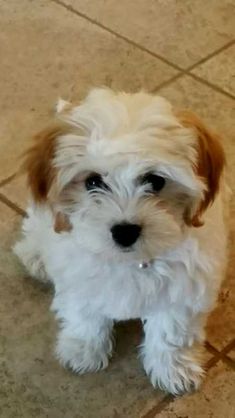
(183,32)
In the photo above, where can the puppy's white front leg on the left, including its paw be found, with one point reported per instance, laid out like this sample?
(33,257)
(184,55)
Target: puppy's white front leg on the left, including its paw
(84,342)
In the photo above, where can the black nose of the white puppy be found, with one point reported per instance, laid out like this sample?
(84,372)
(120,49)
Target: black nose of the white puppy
(125,234)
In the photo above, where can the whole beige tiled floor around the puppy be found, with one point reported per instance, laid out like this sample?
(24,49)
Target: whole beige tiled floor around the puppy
(50,48)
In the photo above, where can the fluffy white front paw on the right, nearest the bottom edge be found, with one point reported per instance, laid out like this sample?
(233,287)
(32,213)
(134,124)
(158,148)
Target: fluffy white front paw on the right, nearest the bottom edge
(176,371)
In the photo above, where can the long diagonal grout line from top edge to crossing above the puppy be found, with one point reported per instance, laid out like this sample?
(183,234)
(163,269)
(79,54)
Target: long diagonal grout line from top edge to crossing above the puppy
(118,35)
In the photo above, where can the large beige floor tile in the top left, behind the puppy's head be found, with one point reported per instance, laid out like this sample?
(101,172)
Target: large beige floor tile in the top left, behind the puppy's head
(50,53)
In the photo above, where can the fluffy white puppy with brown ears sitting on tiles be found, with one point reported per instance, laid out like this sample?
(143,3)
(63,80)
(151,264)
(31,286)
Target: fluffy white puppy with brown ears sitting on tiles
(127,220)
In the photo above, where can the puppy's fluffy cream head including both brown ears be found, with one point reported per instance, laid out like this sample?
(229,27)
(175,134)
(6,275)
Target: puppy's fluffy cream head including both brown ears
(124,175)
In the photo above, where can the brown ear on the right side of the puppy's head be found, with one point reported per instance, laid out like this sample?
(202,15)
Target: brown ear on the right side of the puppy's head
(210,162)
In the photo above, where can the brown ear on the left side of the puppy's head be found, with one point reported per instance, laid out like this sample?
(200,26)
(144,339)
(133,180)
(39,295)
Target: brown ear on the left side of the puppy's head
(40,171)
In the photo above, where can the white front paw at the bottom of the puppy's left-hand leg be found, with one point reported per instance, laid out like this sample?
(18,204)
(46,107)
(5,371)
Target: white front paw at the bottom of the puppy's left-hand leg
(83,356)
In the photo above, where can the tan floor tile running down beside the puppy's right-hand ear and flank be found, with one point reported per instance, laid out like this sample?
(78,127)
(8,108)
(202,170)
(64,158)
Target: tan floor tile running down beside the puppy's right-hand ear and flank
(219,112)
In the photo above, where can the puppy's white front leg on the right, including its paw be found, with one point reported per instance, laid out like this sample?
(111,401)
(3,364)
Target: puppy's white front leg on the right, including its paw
(171,351)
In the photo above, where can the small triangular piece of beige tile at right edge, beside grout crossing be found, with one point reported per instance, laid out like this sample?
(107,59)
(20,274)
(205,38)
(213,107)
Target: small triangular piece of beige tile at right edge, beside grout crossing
(219,70)
